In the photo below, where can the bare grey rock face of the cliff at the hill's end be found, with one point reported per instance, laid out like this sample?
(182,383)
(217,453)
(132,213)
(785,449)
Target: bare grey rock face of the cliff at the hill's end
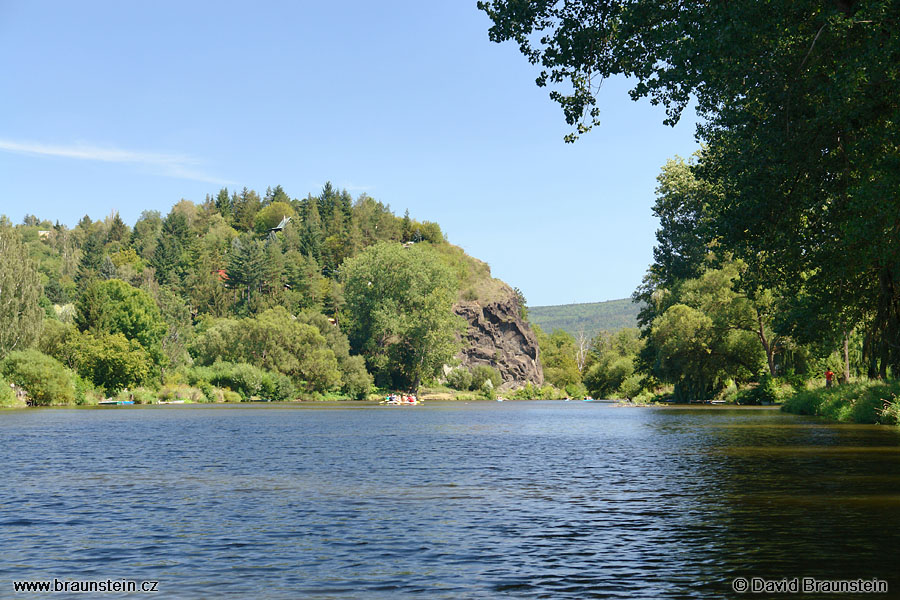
(498,337)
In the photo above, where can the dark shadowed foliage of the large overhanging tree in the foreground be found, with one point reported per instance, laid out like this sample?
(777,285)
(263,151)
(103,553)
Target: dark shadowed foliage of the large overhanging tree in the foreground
(799,102)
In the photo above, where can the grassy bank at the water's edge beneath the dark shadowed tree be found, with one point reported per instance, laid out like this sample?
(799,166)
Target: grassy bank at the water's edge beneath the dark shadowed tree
(864,402)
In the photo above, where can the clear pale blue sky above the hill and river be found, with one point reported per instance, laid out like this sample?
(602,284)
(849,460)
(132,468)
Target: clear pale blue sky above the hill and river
(131,106)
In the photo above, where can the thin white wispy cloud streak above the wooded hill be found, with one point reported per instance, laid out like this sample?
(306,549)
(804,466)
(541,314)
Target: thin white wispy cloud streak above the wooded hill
(169,165)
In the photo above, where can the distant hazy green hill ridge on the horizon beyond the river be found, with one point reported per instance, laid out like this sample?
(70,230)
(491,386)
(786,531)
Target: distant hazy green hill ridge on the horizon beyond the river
(591,317)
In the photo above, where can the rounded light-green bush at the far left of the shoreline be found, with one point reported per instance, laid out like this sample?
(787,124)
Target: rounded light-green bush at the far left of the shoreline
(46,380)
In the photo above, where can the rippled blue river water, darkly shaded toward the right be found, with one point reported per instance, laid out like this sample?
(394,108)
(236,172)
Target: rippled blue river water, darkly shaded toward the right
(477,500)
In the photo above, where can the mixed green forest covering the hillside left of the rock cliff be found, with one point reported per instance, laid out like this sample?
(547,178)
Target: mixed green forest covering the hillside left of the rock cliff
(239,297)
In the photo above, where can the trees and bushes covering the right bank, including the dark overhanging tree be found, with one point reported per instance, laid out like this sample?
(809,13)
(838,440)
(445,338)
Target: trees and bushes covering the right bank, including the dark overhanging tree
(778,253)
